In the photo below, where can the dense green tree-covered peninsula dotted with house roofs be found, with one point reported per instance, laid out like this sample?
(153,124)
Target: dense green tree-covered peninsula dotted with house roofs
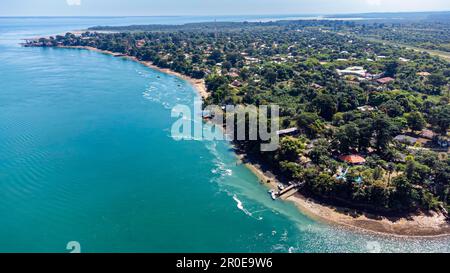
(385,105)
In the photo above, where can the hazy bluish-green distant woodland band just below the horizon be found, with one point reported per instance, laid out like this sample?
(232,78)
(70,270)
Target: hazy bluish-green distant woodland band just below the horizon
(423,30)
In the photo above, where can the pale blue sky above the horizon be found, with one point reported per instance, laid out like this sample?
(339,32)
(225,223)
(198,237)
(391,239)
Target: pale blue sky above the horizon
(210,7)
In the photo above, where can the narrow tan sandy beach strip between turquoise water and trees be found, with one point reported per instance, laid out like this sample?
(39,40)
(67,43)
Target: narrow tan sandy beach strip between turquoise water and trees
(421,225)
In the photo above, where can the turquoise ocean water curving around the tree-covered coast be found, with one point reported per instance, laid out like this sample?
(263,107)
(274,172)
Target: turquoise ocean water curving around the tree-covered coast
(86,155)
